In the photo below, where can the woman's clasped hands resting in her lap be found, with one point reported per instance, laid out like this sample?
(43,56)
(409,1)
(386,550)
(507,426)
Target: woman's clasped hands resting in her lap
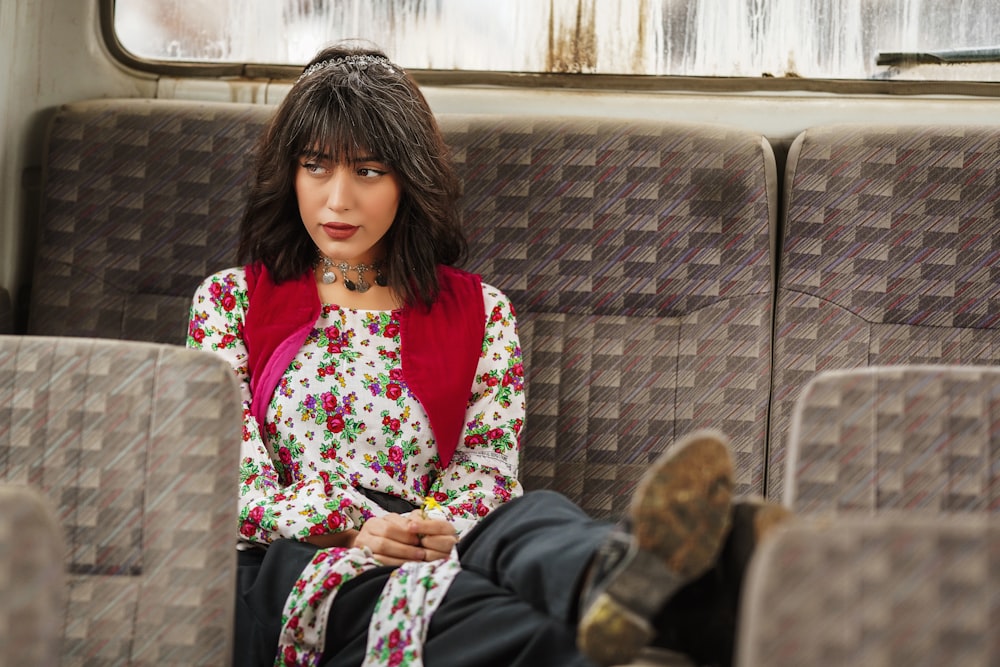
(397,538)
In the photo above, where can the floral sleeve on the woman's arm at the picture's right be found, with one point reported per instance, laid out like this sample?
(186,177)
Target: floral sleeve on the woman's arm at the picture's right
(483,472)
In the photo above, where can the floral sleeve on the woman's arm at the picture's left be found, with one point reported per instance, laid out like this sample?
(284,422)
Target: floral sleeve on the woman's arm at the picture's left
(273,502)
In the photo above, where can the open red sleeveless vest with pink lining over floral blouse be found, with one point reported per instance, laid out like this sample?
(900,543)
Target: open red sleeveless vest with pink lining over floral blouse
(440,346)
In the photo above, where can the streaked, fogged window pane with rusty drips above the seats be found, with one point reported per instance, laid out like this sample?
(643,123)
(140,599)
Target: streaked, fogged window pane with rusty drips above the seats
(804,38)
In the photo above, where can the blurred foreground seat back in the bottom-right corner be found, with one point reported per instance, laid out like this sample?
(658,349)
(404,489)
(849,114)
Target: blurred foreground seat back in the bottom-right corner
(877,591)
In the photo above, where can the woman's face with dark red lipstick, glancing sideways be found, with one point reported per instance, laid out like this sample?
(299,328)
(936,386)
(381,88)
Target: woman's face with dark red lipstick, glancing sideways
(347,207)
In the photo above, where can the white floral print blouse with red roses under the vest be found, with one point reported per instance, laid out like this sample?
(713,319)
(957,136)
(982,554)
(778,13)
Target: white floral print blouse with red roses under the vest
(342,418)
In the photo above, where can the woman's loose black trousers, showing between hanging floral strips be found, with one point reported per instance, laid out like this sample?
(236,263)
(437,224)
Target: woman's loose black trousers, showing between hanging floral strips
(513,604)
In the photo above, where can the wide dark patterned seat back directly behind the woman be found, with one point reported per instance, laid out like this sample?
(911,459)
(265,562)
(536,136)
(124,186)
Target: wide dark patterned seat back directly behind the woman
(637,253)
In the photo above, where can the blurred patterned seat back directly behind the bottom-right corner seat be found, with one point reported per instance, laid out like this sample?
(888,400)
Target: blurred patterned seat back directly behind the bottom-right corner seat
(883,438)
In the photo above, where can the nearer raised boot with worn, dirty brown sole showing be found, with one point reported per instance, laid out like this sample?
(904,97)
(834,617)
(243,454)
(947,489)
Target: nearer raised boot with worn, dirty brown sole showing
(678,521)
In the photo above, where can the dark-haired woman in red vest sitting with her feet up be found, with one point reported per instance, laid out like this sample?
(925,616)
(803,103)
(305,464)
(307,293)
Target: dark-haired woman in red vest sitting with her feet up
(381,521)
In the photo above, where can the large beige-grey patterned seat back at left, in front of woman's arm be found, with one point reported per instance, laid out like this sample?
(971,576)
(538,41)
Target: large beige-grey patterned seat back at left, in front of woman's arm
(133,444)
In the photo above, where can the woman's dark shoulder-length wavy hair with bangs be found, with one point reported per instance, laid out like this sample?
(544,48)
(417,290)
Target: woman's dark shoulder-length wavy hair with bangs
(341,110)
